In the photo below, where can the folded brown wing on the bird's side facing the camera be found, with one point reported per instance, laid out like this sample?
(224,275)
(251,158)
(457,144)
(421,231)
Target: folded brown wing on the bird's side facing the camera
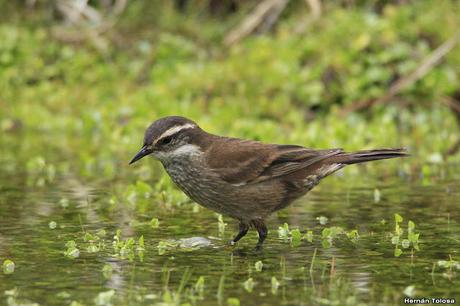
(243,162)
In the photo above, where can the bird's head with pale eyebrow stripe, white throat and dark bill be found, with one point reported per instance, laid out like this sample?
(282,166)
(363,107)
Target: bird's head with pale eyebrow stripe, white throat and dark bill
(169,137)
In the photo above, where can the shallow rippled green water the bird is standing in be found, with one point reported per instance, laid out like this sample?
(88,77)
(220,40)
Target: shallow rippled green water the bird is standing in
(347,272)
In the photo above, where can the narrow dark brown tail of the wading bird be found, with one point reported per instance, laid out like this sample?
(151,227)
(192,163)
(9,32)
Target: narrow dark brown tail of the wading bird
(349,158)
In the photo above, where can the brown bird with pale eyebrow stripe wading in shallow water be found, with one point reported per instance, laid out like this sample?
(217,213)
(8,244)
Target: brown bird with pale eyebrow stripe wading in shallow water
(243,179)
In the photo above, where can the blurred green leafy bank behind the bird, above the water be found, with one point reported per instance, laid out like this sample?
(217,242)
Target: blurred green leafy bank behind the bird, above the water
(85,81)
